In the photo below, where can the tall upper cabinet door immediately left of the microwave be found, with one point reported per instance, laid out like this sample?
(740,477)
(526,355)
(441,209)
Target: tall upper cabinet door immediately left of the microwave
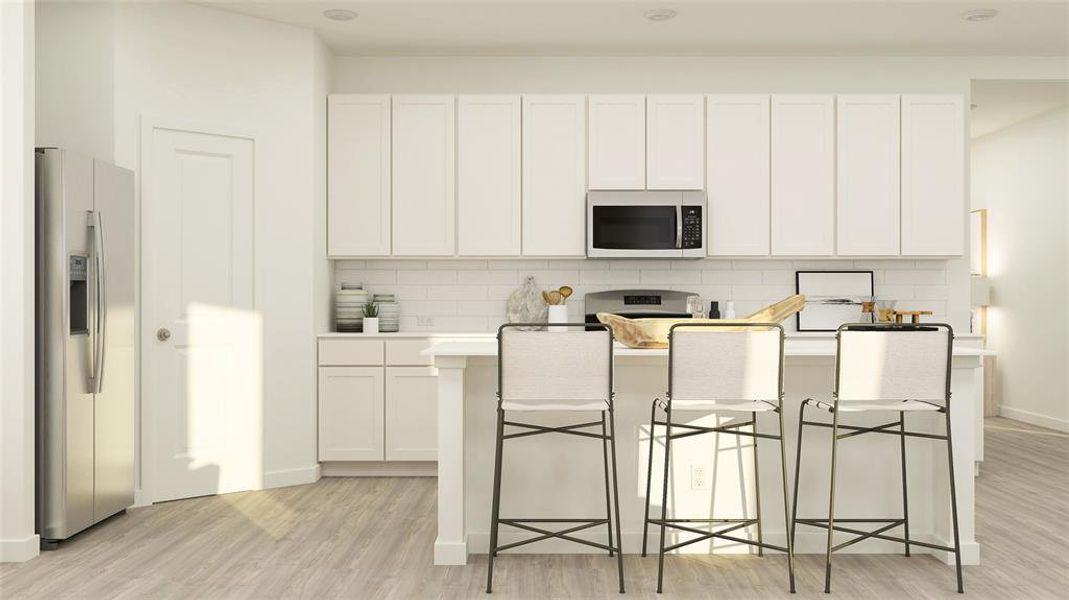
(555,176)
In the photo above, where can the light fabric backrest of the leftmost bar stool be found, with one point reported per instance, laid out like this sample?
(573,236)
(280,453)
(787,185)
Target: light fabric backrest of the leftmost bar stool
(555,366)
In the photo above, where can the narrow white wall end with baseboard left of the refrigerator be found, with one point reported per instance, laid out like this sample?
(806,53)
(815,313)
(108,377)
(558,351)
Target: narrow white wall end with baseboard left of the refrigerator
(18,539)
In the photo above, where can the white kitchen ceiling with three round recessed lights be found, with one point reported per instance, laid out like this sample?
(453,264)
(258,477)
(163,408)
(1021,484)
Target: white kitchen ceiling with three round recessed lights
(704,27)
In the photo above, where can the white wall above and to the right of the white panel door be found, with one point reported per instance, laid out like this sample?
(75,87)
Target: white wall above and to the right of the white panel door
(200,66)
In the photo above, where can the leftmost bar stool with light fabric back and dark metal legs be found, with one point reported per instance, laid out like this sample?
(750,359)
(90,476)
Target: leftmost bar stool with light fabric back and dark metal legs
(561,372)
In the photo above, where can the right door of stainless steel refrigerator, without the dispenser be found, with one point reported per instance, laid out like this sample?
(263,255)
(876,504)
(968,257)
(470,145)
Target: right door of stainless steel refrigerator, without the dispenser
(115,411)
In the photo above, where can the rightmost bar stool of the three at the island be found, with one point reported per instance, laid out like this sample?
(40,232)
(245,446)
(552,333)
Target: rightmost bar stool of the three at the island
(886,368)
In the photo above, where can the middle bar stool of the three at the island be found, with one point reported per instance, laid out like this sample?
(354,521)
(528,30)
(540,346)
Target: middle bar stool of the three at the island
(714,368)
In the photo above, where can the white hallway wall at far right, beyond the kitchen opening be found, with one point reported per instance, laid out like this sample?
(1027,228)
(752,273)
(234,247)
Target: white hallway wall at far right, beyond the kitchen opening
(1021,176)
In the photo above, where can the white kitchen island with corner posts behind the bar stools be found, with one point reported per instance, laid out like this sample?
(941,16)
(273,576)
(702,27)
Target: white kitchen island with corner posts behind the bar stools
(711,475)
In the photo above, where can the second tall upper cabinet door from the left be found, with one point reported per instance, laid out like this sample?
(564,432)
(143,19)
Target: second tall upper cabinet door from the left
(425,173)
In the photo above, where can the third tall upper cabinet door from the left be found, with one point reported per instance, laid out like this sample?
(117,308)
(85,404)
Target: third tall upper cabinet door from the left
(488,176)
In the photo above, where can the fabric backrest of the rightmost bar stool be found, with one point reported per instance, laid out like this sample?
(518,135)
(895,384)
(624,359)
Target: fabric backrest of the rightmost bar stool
(894,363)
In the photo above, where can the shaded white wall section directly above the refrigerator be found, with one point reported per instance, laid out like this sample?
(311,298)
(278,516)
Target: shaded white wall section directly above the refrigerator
(76,78)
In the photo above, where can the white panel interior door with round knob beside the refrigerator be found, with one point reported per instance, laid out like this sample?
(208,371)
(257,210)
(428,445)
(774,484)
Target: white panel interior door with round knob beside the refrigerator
(202,337)
